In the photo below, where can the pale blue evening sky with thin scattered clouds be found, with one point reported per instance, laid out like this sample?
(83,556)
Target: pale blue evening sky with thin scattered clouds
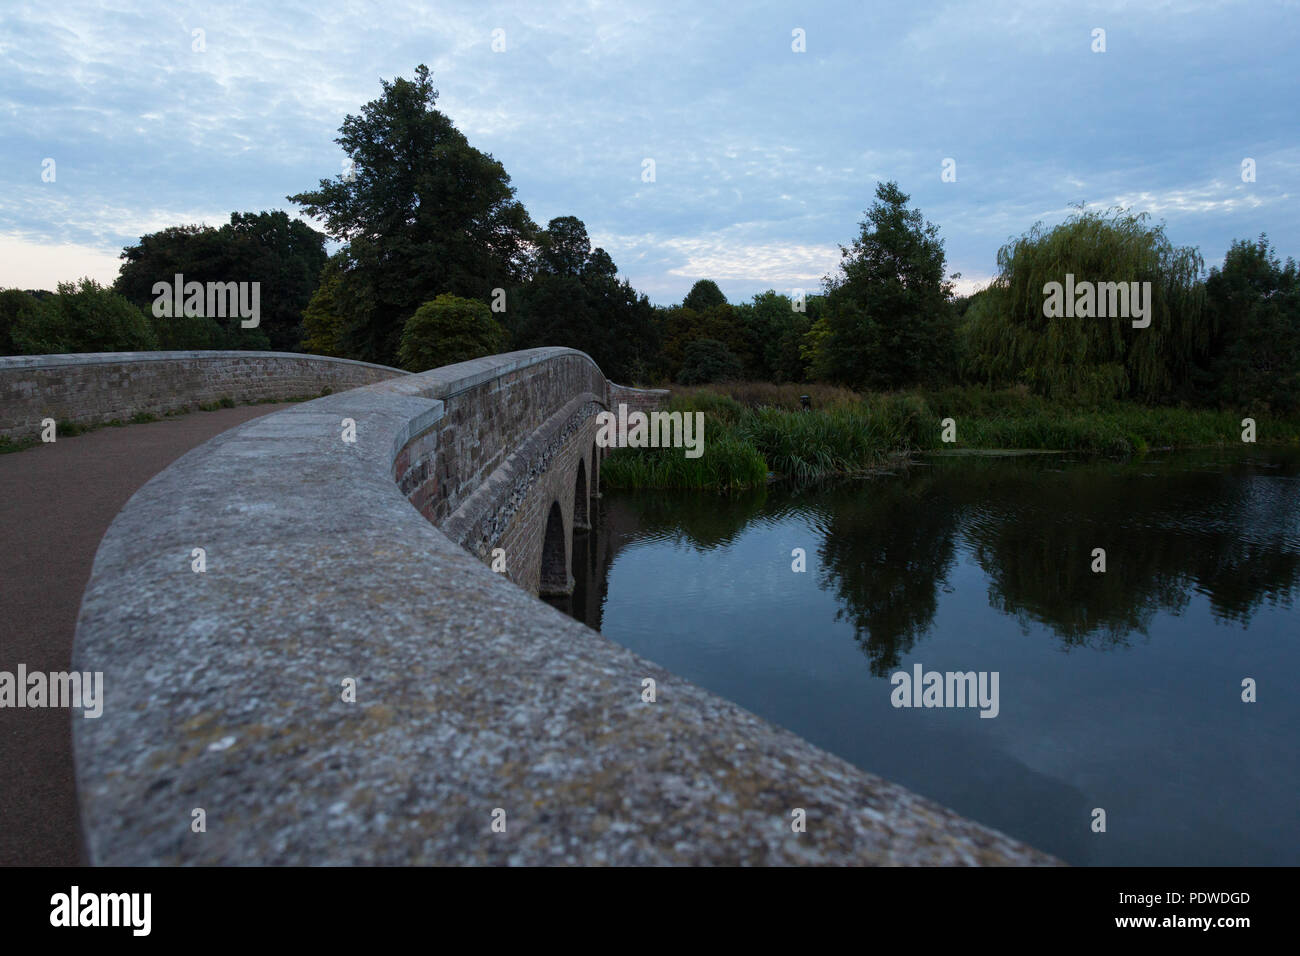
(765,157)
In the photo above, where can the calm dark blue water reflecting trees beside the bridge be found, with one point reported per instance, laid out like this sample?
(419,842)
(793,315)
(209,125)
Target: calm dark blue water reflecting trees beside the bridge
(1119,691)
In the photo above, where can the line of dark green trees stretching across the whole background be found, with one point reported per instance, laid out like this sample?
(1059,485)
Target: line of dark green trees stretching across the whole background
(440,262)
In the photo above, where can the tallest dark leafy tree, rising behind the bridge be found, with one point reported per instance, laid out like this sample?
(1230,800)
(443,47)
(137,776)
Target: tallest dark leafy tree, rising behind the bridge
(422,211)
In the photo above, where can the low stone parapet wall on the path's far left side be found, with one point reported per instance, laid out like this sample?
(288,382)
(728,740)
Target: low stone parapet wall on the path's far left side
(96,388)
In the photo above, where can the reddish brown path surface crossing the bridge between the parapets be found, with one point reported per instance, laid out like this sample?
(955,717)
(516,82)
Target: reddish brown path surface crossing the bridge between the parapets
(57,503)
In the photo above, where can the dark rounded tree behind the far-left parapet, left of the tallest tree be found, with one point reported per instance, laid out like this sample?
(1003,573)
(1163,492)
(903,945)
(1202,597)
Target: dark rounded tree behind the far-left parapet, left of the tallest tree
(284,256)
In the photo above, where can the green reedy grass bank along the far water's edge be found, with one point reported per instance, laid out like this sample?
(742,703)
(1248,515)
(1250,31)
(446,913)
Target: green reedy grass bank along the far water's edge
(755,429)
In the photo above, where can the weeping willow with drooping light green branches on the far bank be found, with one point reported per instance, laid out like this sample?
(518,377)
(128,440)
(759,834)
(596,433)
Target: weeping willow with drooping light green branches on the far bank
(1008,339)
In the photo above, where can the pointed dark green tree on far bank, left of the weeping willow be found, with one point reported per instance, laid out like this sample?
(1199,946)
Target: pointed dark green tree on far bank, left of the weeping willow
(887,321)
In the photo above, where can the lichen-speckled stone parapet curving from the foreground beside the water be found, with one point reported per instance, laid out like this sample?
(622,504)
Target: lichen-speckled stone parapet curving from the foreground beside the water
(232,691)
